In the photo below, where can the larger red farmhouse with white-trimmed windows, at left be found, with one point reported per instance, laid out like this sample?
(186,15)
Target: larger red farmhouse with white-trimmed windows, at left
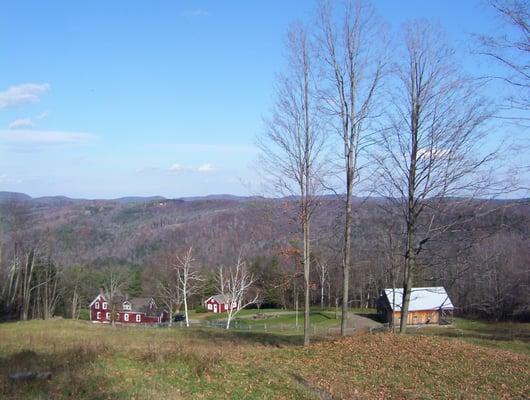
(128,311)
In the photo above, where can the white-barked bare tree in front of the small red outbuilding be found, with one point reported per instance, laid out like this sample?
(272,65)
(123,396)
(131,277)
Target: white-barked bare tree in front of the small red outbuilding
(238,282)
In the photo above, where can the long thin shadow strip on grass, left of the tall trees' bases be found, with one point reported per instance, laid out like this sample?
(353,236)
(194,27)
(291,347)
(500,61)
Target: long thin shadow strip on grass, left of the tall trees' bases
(263,338)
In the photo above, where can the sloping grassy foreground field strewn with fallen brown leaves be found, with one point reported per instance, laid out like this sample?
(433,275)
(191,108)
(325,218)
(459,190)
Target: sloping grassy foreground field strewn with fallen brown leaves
(104,362)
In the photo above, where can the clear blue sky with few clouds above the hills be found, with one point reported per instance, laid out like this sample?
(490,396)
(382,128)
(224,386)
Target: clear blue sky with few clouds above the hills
(104,99)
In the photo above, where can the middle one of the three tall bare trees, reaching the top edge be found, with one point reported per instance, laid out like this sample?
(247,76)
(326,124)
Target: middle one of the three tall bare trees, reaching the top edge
(354,60)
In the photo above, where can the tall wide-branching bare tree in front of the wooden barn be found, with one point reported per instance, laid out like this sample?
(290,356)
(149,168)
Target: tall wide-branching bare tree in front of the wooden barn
(432,155)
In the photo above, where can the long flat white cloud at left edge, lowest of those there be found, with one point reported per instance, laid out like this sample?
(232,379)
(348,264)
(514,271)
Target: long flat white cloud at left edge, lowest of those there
(23,138)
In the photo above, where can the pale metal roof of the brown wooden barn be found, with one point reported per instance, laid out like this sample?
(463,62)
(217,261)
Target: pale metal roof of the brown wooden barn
(426,298)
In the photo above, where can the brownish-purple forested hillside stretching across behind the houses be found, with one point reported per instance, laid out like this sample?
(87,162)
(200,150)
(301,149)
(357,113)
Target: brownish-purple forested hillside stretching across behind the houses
(483,261)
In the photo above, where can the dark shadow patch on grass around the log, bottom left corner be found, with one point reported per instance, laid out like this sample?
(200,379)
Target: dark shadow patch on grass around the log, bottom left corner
(72,375)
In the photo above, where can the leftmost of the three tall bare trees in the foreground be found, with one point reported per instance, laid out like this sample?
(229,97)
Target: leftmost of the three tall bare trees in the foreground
(292,145)
